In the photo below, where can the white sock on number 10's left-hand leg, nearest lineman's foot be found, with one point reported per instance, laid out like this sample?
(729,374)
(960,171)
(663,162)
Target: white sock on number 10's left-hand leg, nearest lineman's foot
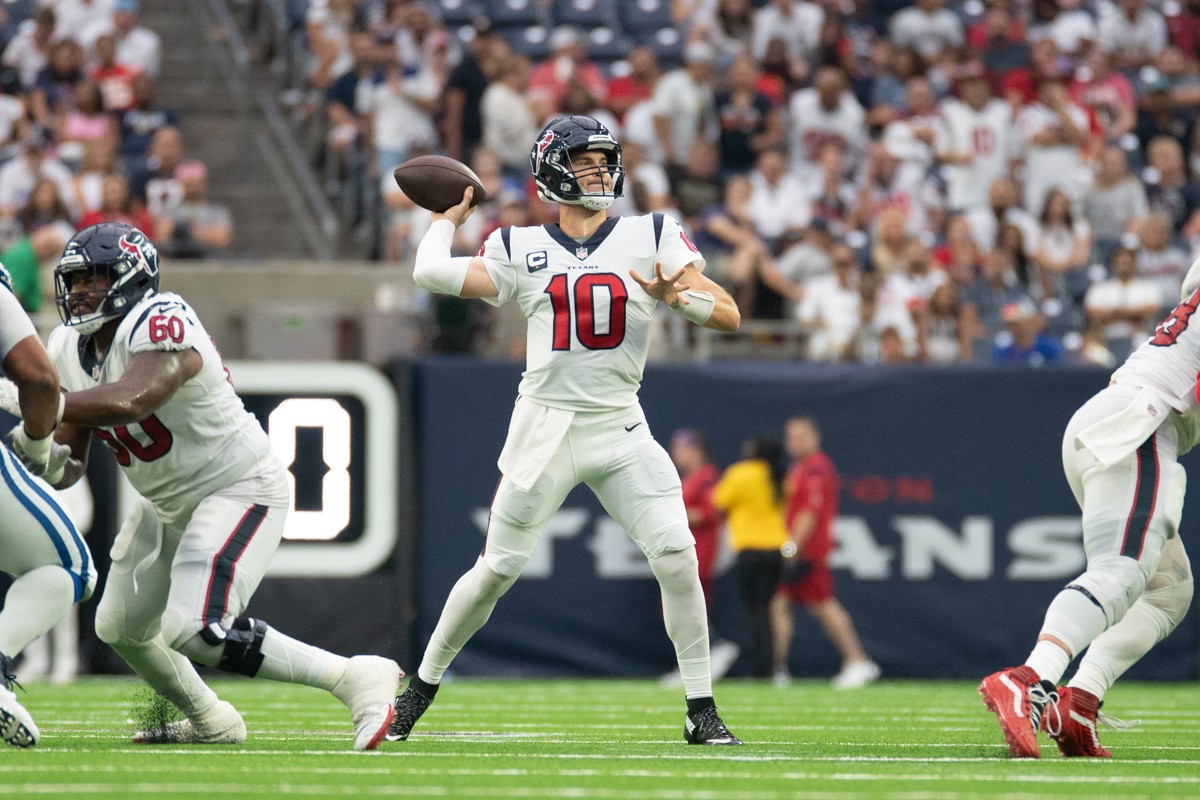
(470,605)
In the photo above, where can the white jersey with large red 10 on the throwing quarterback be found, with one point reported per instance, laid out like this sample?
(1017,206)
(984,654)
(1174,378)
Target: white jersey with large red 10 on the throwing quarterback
(589,322)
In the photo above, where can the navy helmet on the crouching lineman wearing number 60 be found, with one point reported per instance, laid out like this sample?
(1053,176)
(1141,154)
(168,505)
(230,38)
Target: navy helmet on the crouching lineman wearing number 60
(130,261)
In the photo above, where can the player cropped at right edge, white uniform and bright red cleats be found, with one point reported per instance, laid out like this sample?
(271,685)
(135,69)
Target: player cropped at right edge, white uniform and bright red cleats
(1120,453)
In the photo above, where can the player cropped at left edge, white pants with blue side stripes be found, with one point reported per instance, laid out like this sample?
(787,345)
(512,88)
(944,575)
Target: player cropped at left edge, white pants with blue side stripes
(40,545)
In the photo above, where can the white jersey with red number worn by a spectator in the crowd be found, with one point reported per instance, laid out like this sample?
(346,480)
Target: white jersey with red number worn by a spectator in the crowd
(988,136)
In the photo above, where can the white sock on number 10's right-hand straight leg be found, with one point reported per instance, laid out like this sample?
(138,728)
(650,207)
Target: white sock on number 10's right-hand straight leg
(687,623)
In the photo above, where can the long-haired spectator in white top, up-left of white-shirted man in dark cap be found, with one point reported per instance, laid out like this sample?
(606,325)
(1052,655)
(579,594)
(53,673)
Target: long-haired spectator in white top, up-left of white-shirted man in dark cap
(1063,250)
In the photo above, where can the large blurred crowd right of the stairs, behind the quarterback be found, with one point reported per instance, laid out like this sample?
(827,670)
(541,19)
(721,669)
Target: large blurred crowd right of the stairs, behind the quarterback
(1003,182)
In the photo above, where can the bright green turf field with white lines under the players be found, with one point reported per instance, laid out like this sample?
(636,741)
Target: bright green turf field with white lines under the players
(609,739)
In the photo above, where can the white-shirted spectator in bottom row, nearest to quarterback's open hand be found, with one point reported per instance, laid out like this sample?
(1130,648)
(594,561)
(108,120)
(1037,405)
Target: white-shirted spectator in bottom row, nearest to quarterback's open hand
(831,308)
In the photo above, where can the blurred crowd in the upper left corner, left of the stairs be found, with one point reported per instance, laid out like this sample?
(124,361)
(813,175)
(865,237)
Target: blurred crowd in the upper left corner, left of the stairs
(83,140)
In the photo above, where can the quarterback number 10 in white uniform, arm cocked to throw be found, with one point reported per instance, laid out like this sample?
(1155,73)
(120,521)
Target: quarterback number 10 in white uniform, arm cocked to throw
(578,419)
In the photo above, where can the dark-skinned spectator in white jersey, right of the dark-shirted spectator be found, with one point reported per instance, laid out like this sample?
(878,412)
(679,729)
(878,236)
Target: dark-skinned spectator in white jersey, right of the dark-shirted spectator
(829,112)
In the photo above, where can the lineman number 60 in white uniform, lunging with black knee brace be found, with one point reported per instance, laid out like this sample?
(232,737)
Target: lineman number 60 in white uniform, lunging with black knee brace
(142,374)
